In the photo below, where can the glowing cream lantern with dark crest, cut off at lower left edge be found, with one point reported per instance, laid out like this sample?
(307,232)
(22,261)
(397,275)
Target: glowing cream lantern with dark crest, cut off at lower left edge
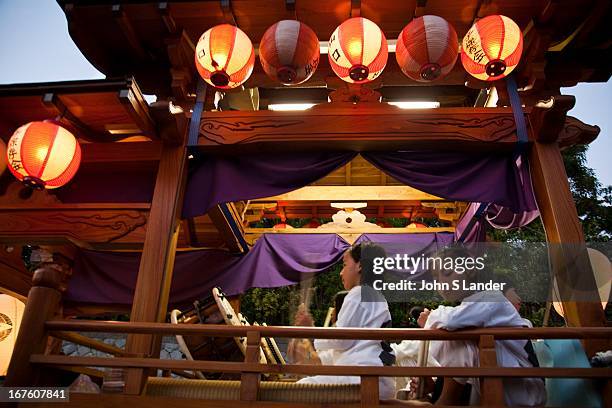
(11,312)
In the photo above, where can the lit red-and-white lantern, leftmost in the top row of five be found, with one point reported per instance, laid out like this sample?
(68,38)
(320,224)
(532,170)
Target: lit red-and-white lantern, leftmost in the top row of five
(225,56)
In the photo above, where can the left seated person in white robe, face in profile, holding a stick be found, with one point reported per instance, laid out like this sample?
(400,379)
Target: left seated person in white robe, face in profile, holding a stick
(362,307)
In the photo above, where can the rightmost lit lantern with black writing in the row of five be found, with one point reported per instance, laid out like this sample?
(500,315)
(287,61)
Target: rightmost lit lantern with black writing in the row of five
(492,48)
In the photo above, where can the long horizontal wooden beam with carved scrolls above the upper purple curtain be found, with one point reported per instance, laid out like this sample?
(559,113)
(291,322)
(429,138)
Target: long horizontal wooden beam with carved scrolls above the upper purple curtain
(241,130)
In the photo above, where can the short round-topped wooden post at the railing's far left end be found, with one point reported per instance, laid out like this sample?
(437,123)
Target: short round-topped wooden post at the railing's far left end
(44,300)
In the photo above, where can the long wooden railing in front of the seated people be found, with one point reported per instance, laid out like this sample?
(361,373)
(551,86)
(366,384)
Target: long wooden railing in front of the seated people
(251,369)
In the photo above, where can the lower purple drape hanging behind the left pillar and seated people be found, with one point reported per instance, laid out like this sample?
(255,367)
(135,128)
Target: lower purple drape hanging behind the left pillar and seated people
(275,260)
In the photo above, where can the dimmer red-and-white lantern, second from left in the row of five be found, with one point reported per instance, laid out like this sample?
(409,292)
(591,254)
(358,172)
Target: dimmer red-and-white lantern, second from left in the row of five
(289,52)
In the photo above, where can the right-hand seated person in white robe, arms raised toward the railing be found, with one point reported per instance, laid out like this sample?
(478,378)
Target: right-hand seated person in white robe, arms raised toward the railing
(477,310)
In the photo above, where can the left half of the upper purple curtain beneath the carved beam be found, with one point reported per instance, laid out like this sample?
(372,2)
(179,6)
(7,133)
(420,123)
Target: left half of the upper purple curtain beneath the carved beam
(222,179)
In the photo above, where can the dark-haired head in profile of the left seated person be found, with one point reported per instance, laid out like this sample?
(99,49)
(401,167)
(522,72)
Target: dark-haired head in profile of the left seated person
(359,264)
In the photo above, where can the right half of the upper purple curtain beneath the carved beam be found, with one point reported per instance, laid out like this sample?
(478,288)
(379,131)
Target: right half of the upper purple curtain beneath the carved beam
(459,176)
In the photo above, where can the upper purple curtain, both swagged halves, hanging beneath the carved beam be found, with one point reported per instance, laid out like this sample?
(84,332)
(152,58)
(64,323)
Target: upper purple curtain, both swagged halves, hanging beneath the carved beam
(453,175)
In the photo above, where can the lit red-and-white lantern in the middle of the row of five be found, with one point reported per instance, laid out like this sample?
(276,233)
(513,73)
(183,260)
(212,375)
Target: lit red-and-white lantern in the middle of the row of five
(358,50)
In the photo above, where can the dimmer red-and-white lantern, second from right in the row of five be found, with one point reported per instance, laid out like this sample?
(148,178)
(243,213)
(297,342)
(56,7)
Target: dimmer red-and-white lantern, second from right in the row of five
(427,48)
